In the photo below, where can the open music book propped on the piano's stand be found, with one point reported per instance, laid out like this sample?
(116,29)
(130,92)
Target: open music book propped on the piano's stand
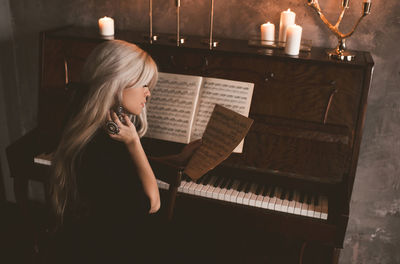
(181,105)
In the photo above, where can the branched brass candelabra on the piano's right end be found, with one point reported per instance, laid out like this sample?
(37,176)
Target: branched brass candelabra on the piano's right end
(340,52)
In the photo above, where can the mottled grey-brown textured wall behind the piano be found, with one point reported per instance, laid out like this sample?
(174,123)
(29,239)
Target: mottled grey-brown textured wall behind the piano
(374,229)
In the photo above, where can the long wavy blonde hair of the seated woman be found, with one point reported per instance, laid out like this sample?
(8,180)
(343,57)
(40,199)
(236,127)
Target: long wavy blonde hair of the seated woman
(111,67)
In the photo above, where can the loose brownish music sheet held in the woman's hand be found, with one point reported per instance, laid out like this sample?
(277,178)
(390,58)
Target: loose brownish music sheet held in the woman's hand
(224,131)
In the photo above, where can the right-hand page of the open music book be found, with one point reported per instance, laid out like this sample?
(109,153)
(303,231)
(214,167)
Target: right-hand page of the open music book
(233,95)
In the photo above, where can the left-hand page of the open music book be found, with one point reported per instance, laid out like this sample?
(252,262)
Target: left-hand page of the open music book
(172,106)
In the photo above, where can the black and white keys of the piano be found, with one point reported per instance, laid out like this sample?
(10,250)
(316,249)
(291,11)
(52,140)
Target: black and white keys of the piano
(247,193)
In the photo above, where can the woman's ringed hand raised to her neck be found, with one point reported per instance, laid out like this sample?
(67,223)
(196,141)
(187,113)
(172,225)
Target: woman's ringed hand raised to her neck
(127,132)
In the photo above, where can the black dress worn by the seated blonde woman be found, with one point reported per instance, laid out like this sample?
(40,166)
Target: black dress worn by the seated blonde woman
(112,224)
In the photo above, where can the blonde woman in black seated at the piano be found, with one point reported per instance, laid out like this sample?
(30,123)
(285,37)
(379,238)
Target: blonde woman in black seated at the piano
(103,186)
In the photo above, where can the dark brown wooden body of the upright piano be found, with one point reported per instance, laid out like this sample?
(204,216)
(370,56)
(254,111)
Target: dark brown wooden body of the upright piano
(308,116)
